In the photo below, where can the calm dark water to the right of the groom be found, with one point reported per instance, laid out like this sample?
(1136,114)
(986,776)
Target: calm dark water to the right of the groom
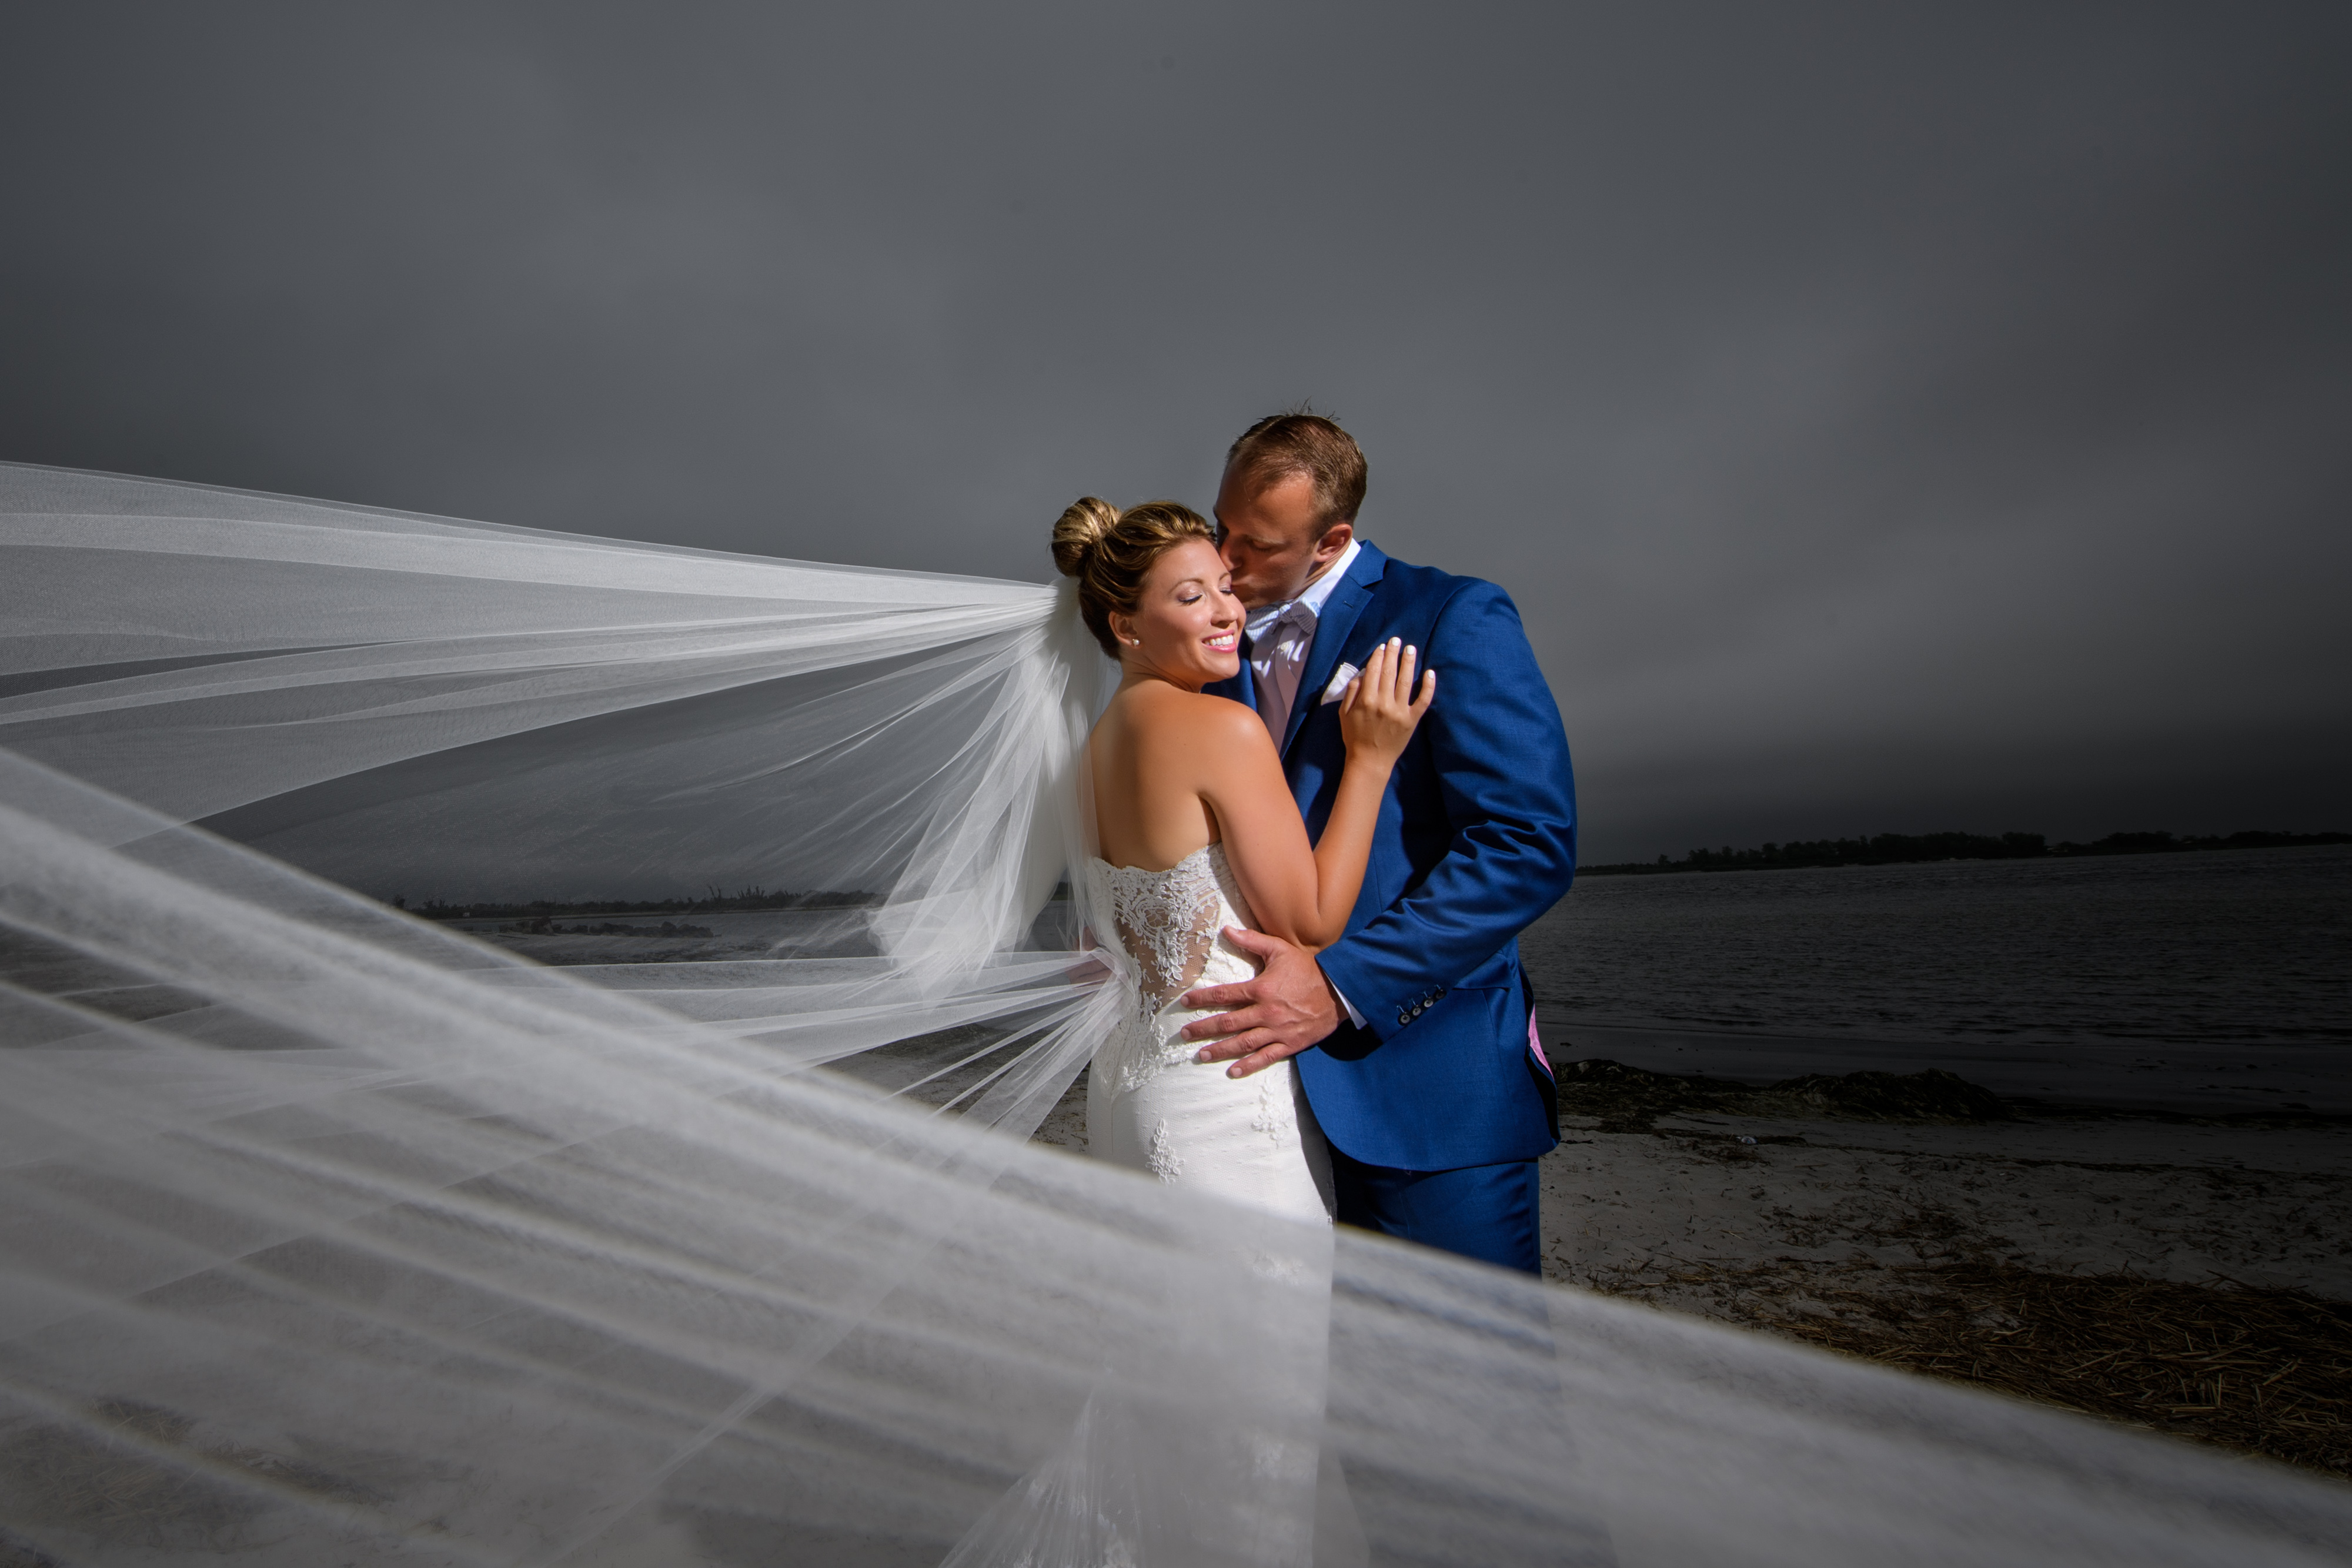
(2167,967)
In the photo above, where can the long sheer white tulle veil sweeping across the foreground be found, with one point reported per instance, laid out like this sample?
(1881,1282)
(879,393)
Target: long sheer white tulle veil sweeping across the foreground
(330,1235)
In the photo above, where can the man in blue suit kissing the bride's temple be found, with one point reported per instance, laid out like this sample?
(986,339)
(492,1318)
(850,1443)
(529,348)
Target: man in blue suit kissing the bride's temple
(1412,1031)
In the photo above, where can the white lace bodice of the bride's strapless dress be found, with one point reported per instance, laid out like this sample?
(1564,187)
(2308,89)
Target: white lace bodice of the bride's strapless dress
(1168,923)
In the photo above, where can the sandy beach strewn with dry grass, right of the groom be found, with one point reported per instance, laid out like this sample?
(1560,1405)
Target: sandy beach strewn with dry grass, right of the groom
(2186,1275)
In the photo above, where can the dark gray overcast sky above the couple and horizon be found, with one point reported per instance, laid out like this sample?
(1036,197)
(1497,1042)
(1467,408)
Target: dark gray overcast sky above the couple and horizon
(1885,417)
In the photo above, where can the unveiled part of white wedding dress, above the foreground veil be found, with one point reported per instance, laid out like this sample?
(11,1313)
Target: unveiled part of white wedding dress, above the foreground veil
(1151,1106)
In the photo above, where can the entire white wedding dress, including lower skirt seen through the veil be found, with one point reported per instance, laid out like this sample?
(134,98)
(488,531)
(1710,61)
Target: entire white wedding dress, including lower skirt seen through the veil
(1252,1144)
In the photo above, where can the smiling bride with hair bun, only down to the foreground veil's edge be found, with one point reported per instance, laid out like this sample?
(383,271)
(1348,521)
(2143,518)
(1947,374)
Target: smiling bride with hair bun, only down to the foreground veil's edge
(1194,833)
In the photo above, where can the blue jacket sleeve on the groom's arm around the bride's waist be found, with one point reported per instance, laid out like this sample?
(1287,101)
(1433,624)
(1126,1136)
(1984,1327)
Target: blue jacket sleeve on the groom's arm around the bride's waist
(1504,779)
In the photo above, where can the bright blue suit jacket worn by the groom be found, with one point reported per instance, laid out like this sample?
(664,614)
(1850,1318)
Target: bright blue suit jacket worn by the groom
(1476,840)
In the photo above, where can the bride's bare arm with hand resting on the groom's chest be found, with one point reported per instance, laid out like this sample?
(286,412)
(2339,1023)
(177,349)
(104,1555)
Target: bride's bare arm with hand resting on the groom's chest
(1299,894)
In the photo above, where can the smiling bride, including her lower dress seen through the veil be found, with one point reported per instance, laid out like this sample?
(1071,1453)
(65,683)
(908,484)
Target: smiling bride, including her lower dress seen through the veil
(1191,831)
